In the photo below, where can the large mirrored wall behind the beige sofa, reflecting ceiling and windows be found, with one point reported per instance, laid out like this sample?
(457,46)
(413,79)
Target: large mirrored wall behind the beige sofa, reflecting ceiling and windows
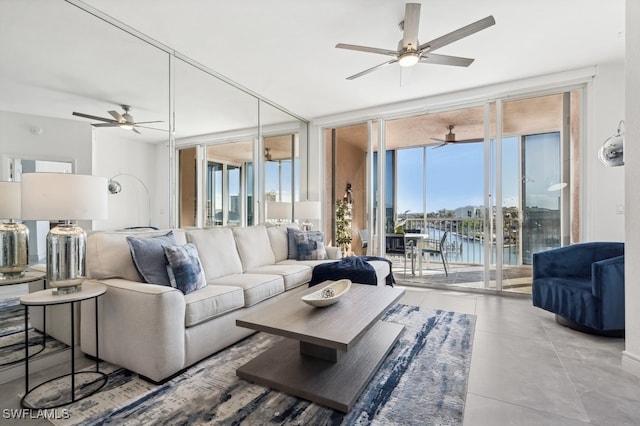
(193,151)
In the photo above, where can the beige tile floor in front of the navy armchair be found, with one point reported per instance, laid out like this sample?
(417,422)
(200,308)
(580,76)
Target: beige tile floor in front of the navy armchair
(525,368)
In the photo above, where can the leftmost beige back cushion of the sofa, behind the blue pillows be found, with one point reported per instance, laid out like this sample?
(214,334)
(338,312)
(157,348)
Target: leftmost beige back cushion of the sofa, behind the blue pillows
(109,255)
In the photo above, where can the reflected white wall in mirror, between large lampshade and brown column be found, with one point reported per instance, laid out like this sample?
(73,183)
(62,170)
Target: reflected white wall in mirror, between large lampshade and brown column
(134,165)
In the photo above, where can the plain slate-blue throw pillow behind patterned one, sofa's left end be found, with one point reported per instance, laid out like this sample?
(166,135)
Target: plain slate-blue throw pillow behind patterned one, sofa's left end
(149,258)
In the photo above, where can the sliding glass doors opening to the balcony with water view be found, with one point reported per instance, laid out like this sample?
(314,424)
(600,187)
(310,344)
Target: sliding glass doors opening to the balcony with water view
(499,181)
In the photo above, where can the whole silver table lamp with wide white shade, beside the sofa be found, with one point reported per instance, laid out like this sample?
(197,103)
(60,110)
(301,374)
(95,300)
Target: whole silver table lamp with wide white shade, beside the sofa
(65,198)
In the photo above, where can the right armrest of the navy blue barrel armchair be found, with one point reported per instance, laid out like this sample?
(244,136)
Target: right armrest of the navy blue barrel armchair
(607,284)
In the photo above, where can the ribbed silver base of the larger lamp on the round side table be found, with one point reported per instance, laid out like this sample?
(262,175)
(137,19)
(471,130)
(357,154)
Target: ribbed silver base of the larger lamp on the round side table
(66,250)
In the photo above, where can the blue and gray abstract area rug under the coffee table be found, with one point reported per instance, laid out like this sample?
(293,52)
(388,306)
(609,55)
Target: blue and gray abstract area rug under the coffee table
(422,381)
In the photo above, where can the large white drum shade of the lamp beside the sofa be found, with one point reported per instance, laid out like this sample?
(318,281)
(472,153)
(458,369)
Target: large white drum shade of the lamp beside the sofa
(63,196)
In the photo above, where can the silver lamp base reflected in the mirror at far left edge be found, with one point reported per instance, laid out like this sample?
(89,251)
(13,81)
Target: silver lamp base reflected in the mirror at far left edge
(14,250)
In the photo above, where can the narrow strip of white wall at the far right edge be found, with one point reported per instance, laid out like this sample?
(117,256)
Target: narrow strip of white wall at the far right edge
(631,355)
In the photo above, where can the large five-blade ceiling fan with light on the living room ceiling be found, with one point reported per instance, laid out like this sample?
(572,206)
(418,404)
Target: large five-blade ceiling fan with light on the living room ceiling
(411,52)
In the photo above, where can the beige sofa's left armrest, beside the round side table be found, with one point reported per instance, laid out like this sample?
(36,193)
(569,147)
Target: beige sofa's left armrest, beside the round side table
(141,327)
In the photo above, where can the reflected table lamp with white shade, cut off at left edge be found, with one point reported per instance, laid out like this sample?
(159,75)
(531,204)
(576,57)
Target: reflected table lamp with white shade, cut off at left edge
(14,236)
